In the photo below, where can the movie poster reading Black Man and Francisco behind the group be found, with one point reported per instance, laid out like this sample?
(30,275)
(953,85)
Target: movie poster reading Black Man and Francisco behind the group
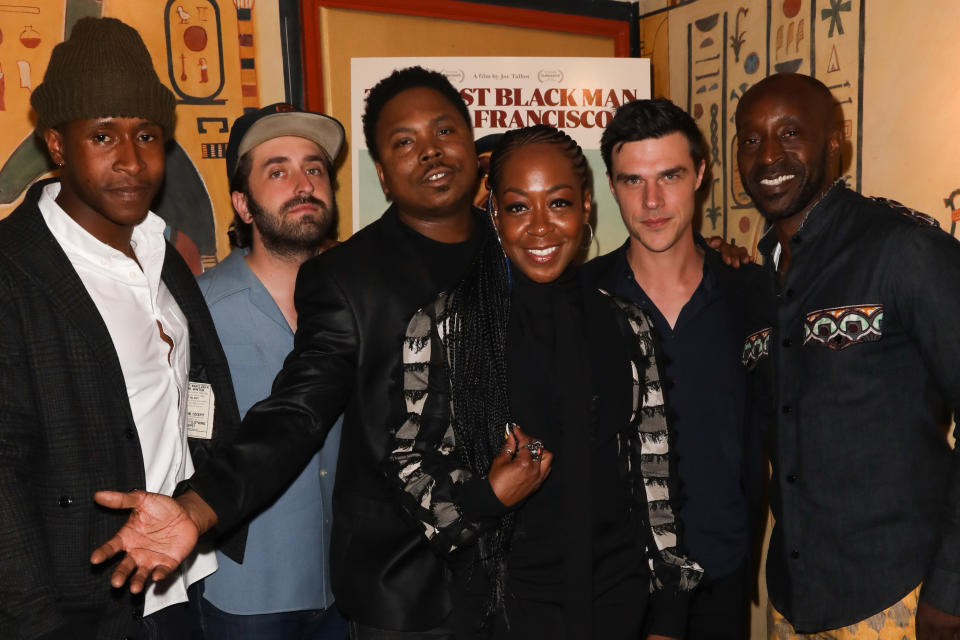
(578,95)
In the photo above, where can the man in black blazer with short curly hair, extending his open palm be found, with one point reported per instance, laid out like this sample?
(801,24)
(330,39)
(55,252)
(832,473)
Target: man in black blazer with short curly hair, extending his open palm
(353,304)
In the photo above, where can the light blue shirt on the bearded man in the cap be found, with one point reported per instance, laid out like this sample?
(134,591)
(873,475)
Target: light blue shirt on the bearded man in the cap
(286,565)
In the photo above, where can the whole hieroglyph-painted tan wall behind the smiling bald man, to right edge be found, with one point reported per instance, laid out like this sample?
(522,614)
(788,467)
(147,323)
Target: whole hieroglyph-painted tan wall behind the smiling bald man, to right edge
(884,62)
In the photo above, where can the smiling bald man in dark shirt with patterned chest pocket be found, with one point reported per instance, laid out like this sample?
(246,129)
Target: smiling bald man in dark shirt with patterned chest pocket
(848,346)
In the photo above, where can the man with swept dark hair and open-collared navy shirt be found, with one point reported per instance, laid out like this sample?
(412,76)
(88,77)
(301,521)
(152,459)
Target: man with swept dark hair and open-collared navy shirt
(656,159)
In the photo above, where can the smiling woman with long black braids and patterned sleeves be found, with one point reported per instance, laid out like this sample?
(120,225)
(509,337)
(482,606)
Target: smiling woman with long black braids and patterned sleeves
(522,365)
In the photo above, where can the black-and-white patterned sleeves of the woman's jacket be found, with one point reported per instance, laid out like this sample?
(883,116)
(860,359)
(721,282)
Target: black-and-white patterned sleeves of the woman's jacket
(423,457)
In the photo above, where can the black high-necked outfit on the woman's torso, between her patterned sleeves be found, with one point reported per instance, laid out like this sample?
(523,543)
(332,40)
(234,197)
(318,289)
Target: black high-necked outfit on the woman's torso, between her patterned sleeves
(569,382)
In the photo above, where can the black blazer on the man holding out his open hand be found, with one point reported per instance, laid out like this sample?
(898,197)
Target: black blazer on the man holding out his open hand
(353,305)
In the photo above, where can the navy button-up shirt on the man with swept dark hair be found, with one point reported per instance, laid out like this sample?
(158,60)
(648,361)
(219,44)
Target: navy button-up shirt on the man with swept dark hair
(706,396)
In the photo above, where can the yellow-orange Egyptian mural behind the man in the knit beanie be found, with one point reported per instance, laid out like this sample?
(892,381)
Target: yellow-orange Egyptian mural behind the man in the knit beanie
(210,53)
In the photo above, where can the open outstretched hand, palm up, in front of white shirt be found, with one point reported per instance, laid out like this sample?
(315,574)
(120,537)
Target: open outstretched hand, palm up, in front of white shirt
(157,537)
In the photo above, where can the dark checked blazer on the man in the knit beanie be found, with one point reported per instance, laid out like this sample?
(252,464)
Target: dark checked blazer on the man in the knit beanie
(66,431)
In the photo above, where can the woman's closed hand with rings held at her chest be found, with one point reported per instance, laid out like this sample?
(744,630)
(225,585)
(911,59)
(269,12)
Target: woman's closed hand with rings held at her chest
(520,469)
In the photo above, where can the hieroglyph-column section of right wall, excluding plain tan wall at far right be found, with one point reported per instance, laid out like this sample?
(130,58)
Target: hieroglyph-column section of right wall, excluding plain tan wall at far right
(719,49)
